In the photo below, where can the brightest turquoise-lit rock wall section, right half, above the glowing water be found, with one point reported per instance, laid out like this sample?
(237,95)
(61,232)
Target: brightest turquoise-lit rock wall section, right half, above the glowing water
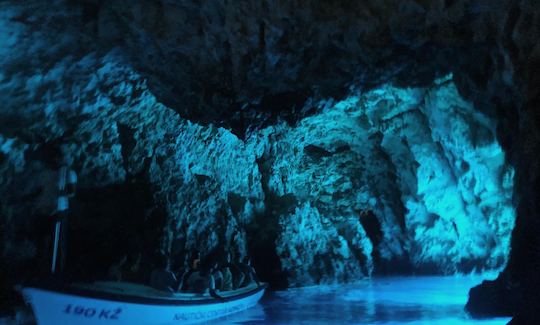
(422,160)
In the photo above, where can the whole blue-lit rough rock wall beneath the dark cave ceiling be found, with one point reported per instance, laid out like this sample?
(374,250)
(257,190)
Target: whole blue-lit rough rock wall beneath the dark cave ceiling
(394,176)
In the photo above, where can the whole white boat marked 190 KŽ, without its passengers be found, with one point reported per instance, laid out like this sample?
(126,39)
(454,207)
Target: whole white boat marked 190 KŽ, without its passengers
(129,303)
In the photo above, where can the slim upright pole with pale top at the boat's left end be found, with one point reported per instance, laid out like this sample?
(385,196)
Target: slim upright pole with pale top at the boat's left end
(66,189)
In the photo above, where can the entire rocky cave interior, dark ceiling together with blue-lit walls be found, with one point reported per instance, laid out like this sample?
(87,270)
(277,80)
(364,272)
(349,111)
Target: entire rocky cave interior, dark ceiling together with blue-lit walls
(220,111)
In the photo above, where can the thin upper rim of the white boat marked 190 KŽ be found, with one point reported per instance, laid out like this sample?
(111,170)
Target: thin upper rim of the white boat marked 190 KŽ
(144,300)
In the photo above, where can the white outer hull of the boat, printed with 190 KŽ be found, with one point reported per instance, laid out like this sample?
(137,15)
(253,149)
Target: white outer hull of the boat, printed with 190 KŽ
(52,307)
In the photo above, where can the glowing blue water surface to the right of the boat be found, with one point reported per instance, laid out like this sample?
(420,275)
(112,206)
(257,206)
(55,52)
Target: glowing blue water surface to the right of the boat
(396,300)
